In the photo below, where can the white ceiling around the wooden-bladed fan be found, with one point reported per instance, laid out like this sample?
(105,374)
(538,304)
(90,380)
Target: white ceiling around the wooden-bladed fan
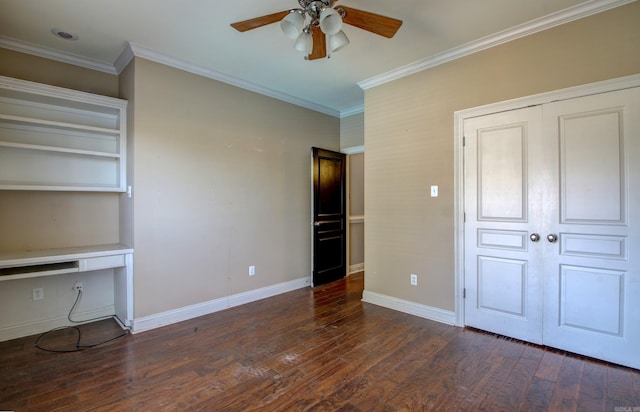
(195,35)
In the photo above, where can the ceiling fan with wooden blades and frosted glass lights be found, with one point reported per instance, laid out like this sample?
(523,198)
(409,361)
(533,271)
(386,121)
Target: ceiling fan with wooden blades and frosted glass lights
(315,20)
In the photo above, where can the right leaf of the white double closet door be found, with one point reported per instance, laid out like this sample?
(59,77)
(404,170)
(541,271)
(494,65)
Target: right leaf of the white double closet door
(592,271)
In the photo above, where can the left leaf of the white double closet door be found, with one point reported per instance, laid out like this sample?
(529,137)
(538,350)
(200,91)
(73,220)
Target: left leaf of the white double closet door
(502,282)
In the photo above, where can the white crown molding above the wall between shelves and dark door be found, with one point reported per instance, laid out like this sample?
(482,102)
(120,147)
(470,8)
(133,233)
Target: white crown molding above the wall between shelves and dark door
(148,54)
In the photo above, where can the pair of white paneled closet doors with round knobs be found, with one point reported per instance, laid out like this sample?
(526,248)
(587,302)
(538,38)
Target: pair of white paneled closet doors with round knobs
(552,224)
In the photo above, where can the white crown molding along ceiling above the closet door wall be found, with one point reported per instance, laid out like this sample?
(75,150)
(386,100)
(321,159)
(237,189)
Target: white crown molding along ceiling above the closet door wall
(534,26)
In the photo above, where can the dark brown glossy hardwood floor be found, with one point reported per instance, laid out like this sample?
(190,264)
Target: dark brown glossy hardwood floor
(319,349)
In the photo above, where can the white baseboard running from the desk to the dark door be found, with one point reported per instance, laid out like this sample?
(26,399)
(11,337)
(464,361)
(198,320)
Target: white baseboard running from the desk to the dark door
(193,311)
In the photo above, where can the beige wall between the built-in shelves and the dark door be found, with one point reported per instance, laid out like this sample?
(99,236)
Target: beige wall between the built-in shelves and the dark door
(221,182)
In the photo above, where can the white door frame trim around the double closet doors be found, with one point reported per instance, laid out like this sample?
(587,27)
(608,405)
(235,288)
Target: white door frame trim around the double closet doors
(458,130)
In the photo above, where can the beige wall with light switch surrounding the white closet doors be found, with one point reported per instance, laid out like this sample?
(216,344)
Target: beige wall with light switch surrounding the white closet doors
(409,141)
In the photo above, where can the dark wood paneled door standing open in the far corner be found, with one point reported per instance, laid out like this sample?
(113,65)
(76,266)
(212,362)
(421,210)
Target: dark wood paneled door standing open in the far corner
(329,215)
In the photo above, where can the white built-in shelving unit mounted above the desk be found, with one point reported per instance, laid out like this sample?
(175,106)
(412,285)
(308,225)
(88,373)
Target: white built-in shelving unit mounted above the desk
(53,138)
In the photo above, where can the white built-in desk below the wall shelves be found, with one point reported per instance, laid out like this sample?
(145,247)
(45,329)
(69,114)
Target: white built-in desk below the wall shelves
(51,262)
